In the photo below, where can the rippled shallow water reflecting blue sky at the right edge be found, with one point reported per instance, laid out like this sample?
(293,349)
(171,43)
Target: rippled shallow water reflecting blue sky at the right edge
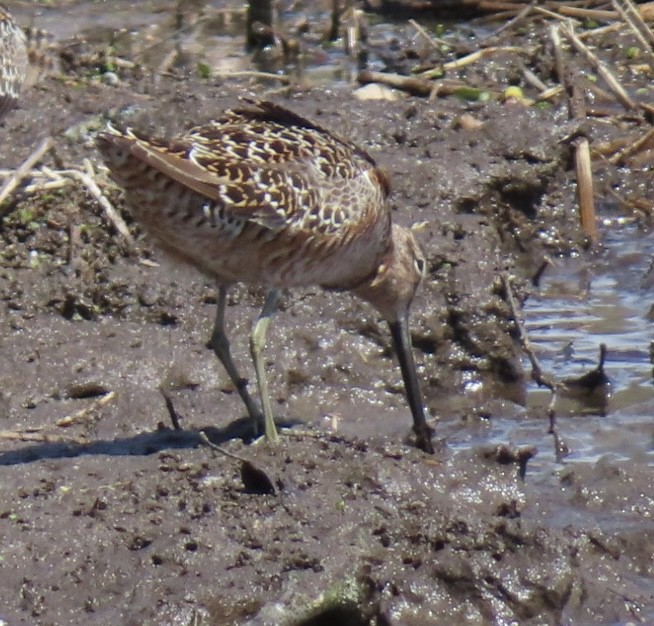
(581,305)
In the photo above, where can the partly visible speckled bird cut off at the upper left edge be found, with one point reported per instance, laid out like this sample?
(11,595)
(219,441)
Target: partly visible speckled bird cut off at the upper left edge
(13,61)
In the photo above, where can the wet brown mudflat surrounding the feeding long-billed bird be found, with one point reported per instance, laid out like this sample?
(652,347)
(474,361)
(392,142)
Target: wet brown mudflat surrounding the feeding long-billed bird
(107,516)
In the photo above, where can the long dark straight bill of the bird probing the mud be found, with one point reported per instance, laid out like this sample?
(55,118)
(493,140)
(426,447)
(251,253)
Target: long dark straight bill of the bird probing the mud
(404,351)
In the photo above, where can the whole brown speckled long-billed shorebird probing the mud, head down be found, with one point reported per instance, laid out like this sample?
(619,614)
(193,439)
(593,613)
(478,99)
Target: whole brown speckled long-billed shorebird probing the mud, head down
(265,197)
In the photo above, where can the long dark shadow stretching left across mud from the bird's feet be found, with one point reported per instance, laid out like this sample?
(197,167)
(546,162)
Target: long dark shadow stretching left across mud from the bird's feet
(144,444)
